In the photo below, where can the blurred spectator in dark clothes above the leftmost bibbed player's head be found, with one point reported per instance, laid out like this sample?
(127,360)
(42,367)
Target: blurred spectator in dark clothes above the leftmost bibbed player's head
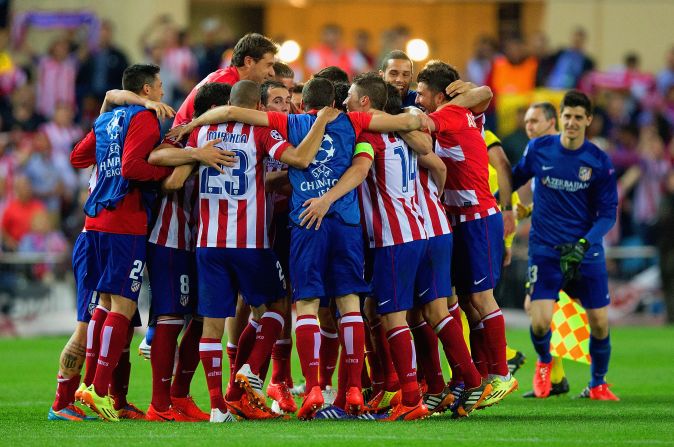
(102,69)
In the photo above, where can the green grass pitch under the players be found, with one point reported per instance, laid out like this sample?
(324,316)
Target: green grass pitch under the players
(642,367)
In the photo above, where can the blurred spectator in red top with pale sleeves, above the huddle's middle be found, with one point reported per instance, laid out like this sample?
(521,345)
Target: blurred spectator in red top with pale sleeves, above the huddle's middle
(330,51)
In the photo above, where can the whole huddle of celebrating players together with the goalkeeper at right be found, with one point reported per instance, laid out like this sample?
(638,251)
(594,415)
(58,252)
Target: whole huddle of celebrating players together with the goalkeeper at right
(380,215)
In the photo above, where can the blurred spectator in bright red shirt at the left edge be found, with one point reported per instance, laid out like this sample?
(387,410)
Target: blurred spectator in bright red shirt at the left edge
(19,212)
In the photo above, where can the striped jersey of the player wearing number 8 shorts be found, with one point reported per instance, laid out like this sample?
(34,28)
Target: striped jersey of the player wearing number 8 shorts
(176,224)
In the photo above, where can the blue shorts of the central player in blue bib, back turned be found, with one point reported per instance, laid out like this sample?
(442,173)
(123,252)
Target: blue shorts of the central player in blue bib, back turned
(328,262)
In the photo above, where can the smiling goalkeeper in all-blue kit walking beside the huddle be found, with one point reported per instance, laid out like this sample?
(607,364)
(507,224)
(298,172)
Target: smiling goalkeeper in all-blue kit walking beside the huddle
(576,199)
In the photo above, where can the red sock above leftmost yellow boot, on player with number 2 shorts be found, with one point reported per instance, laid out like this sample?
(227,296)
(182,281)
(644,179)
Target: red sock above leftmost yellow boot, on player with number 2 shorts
(114,336)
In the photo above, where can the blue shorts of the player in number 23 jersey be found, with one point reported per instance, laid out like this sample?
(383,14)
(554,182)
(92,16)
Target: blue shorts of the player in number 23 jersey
(224,272)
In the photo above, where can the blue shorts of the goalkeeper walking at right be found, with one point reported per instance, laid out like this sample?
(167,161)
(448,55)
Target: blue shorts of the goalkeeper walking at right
(545,277)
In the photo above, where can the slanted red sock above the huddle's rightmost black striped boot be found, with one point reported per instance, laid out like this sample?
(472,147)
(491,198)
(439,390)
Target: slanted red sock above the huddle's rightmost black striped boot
(456,351)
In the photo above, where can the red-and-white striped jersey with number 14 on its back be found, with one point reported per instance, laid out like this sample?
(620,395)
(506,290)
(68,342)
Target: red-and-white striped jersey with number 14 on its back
(389,194)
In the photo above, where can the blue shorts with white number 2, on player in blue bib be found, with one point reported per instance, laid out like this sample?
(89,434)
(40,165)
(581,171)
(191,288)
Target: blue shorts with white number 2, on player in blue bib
(115,263)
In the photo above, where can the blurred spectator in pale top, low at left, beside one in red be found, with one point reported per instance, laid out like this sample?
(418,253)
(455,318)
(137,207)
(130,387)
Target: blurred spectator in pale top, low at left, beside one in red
(43,238)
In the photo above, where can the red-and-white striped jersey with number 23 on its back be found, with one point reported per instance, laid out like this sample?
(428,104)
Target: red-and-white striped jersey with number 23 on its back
(232,206)
